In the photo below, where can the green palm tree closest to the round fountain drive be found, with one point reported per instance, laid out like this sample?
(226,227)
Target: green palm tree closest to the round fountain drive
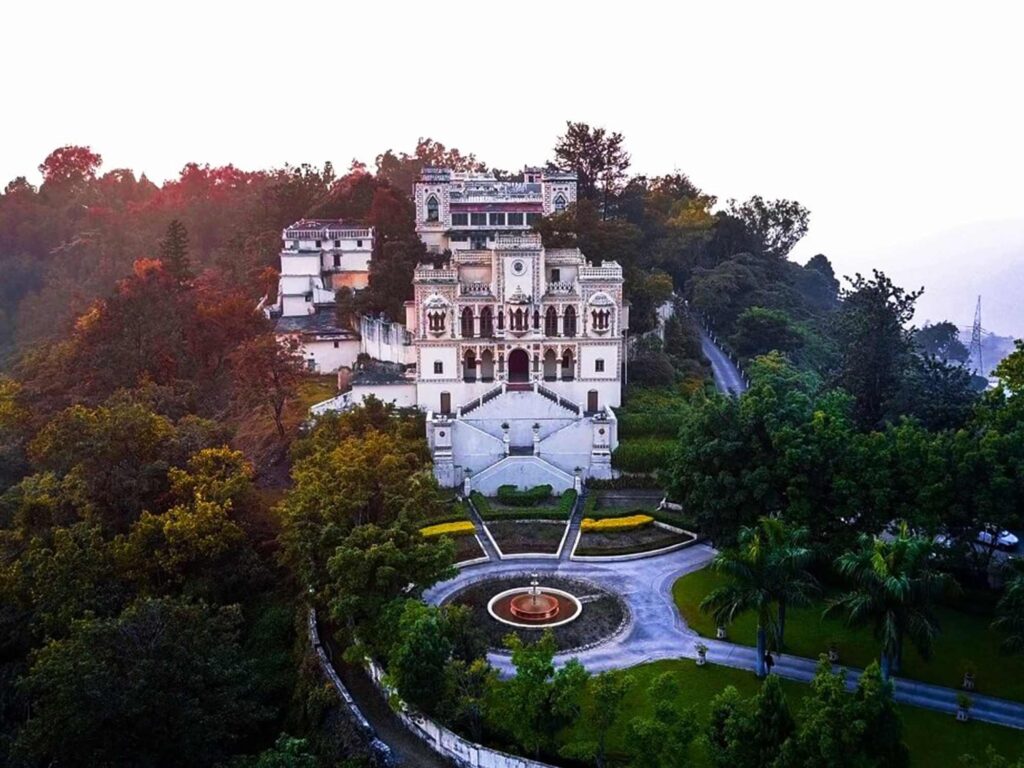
(766,571)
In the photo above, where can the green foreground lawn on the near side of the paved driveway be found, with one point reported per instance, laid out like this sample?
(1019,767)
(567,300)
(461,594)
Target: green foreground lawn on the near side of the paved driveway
(934,739)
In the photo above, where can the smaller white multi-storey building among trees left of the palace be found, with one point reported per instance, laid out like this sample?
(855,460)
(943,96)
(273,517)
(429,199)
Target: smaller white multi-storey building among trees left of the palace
(318,258)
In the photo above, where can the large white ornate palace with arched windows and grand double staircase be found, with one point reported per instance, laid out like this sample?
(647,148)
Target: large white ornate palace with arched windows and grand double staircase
(515,352)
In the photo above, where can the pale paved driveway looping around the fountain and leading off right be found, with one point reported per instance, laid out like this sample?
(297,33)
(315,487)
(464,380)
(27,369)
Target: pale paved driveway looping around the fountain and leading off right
(658,632)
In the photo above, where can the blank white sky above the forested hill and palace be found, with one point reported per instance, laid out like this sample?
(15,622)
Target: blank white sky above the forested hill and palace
(893,122)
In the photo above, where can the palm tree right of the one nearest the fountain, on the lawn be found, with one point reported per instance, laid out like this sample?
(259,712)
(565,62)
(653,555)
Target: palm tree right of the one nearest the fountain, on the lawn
(894,586)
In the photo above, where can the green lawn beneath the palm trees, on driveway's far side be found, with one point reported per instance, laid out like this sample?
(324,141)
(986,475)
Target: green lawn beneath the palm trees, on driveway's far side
(964,636)
